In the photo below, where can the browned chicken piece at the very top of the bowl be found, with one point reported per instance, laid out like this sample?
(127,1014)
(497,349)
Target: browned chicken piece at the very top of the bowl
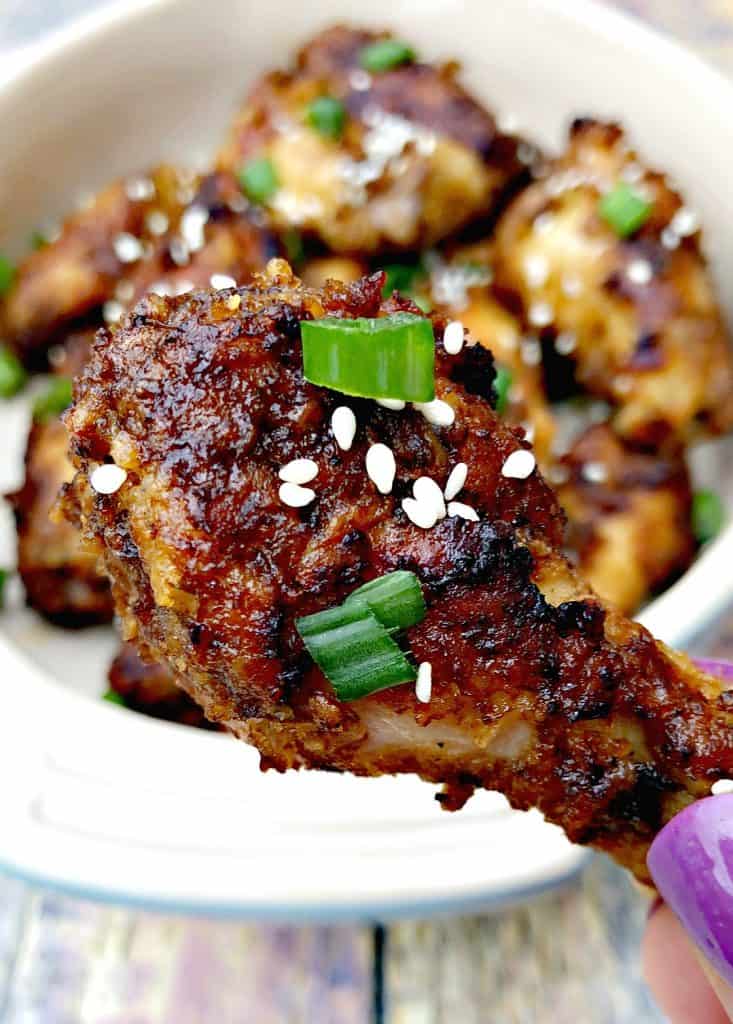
(419,157)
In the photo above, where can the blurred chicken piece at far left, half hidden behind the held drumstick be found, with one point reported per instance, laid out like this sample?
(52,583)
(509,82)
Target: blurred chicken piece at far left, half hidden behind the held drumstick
(60,573)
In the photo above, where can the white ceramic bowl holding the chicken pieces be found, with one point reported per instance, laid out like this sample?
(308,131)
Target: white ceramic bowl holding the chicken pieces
(106,803)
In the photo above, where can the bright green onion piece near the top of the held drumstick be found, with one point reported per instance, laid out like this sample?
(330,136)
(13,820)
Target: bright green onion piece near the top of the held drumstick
(386,358)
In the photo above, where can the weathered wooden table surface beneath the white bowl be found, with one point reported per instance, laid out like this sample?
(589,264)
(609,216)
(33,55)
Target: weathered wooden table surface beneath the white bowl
(571,958)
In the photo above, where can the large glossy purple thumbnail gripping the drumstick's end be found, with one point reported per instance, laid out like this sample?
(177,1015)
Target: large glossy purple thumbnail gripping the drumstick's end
(692,862)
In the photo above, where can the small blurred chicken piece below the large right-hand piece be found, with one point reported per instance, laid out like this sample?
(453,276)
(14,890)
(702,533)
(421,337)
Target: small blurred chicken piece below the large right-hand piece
(630,518)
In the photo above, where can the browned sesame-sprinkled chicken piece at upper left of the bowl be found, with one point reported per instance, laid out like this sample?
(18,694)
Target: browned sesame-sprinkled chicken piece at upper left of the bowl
(168,229)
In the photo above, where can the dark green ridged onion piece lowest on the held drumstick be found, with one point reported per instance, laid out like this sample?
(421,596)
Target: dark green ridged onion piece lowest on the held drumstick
(355,651)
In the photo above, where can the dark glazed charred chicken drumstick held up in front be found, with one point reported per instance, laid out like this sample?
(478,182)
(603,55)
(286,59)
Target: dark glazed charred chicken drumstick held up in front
(539,691)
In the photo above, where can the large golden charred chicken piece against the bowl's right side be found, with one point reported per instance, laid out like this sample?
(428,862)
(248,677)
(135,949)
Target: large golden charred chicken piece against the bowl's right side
(640,315)
